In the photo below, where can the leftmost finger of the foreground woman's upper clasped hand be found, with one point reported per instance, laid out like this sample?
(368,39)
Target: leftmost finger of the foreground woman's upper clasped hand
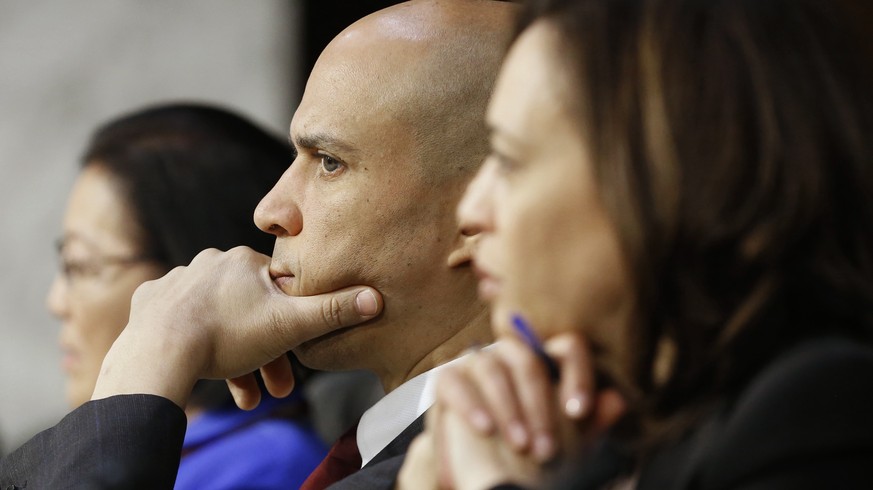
(455,392)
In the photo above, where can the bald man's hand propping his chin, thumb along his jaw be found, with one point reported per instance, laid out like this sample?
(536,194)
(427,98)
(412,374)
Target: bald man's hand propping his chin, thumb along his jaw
(221,317)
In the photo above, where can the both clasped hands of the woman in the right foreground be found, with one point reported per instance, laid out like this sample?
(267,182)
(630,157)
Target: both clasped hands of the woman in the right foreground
(498,418)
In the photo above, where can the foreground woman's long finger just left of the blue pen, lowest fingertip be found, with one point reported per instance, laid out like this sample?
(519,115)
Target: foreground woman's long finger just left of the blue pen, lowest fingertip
(534,391)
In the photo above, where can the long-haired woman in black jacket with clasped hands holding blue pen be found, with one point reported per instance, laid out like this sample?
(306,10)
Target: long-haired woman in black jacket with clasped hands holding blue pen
(679,206)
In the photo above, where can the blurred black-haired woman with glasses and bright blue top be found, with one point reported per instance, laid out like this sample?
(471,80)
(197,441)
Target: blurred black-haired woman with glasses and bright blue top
(155,188)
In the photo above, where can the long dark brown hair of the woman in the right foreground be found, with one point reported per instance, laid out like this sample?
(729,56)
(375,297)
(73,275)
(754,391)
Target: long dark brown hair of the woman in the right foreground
(731,140)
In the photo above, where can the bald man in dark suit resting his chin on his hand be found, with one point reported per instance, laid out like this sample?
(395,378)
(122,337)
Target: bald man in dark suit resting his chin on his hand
(389,132)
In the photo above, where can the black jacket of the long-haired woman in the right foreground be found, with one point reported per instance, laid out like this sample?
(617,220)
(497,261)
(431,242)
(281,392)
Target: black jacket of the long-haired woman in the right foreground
(805,422)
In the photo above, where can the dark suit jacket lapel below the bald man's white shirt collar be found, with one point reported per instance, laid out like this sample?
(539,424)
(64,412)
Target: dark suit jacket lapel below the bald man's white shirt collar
(381,472)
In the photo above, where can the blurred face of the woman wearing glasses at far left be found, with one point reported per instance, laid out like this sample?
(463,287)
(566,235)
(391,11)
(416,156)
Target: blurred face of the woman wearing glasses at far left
(100,269)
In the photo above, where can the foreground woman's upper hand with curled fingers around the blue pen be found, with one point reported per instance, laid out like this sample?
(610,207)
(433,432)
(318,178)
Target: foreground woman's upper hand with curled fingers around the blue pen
(507,389)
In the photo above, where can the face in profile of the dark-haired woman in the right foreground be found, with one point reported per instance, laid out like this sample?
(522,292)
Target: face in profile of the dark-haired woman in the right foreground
(546,248)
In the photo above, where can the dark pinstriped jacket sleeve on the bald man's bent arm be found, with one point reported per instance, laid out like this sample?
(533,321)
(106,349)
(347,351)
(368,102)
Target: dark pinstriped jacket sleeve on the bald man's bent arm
(125,441)
